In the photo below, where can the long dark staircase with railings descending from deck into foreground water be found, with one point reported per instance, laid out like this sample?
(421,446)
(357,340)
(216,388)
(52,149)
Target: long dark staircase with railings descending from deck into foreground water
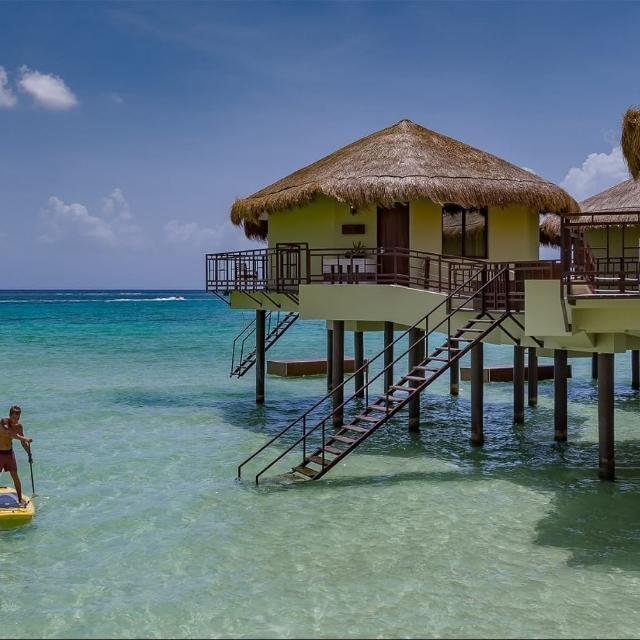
(323,446)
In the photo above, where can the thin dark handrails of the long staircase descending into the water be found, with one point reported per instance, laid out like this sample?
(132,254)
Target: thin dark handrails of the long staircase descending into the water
(365,367)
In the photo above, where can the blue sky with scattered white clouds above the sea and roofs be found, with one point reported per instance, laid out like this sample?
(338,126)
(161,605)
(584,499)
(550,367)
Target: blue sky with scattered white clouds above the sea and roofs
(128,129)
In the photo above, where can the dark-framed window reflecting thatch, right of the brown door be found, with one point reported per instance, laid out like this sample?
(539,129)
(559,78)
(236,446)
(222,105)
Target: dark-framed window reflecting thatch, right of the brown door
(464,231)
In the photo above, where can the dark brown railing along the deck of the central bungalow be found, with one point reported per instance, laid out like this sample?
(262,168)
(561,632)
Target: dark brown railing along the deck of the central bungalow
(283,268)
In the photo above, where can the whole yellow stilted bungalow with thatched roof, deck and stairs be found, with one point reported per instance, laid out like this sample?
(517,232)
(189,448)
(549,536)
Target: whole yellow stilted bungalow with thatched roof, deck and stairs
(436,245)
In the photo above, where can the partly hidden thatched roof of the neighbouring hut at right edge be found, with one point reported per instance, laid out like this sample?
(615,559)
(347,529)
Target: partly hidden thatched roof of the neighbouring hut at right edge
(615,204)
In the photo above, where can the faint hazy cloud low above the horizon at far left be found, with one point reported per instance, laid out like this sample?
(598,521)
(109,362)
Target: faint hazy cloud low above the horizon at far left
(112,228)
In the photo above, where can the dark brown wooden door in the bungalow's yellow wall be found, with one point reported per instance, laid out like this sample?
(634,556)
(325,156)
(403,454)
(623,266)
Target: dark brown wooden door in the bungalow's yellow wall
(393,243)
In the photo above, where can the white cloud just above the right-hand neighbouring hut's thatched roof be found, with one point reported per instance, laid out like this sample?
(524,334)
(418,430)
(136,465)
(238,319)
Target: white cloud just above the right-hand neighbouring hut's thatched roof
(598,172)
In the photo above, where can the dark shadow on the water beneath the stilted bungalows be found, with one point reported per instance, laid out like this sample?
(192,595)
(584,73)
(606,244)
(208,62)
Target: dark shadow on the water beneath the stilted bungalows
(597,522)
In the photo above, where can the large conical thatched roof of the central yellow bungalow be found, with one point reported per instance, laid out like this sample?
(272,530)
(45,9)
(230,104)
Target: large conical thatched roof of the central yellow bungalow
(405,162)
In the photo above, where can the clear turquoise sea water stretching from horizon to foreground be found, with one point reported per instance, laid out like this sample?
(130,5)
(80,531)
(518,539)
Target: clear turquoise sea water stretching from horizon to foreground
(142,529)
